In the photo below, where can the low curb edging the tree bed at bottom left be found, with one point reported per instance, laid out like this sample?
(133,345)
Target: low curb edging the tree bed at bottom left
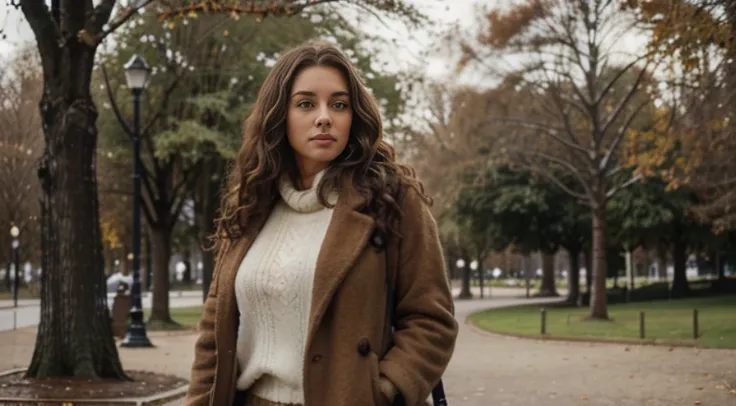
(155,399)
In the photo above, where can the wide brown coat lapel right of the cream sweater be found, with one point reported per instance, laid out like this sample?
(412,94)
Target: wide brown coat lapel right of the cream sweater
(345,239)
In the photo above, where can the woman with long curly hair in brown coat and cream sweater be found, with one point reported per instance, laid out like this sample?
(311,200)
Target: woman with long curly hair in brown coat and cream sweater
(317,218)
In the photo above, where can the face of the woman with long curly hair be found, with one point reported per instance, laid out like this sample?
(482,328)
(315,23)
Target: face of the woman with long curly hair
(318,118)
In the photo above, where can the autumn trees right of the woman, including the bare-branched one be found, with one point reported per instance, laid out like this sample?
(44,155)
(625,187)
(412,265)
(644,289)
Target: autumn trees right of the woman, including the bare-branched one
(580,145)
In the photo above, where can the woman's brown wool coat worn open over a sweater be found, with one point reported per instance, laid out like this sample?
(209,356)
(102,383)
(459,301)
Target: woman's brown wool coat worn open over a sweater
(341,365)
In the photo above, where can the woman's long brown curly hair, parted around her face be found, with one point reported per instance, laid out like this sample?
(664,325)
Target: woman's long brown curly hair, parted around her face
(368,161)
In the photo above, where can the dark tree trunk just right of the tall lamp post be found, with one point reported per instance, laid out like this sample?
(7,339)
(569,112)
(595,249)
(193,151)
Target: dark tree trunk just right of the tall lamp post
(161,255)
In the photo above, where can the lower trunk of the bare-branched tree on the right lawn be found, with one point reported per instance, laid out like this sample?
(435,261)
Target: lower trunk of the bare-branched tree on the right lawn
(598,300)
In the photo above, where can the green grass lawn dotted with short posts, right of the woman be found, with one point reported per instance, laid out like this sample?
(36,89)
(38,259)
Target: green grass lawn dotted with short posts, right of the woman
(665,321)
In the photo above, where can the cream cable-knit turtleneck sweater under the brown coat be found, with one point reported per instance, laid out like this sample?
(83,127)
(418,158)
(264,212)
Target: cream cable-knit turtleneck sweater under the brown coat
(273,289)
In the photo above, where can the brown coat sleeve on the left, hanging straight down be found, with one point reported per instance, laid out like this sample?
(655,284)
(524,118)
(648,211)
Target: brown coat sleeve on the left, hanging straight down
(205,351)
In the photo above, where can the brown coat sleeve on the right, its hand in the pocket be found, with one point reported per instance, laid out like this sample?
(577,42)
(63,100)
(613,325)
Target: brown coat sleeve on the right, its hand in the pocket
(426,329)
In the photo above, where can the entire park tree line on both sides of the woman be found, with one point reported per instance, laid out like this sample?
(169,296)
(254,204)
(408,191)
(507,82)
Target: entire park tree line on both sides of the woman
(573,145)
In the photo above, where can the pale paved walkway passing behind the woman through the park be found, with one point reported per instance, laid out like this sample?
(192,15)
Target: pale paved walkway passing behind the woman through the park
(491,370)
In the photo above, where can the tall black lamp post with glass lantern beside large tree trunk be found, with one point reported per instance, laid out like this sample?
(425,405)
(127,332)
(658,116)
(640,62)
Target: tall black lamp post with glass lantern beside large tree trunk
(136,74)
